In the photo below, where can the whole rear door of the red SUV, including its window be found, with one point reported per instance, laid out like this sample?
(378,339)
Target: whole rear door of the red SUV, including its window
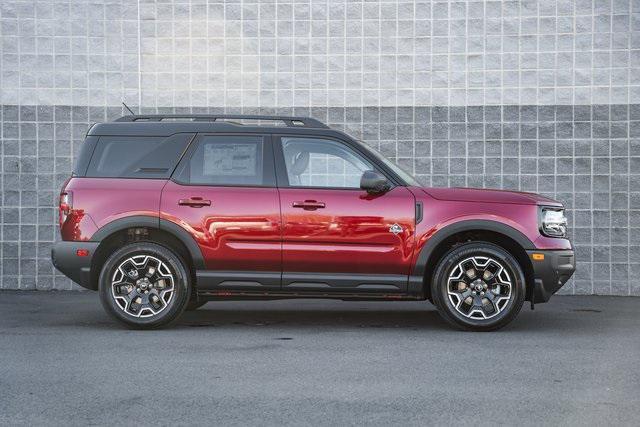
(223,192)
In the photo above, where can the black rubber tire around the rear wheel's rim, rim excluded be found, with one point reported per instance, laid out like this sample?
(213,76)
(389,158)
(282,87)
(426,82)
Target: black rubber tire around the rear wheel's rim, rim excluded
(182,284)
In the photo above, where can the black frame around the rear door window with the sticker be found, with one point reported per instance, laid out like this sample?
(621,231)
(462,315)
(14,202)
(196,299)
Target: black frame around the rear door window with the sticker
(268,164)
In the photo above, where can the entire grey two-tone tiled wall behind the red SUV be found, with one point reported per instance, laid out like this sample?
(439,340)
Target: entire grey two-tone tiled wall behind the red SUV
(536,95)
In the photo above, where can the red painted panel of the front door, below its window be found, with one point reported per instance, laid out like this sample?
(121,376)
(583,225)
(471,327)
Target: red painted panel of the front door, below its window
(350,234)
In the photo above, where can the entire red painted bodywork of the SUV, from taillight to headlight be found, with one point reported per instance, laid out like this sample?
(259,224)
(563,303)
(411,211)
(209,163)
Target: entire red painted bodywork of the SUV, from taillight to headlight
(259,229)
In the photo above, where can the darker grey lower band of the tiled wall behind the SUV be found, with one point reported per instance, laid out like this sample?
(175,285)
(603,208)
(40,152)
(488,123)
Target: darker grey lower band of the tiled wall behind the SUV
(586,156)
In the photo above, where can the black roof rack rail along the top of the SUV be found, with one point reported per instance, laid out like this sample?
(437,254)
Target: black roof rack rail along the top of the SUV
(288,120)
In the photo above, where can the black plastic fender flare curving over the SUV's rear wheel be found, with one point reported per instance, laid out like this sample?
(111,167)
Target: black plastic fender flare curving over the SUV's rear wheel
(157,223)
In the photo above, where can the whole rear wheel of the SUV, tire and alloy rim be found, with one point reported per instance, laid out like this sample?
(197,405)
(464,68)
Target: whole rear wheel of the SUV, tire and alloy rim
(159,271)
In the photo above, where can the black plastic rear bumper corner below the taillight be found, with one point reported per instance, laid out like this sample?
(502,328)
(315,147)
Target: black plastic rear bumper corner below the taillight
(65,258)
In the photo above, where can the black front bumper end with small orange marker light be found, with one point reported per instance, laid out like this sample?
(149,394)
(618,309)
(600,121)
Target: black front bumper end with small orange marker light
(551,272)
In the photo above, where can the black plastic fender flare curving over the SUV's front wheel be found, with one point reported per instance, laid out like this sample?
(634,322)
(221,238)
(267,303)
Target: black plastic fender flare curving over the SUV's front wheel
(466,225)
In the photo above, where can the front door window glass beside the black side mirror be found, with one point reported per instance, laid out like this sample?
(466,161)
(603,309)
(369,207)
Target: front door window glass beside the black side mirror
(314,162)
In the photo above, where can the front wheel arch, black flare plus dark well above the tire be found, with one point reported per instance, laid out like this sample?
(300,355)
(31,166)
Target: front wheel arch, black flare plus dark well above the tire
(502,235)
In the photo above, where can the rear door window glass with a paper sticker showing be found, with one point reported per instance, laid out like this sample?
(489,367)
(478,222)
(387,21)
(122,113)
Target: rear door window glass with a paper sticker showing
(227,160)
